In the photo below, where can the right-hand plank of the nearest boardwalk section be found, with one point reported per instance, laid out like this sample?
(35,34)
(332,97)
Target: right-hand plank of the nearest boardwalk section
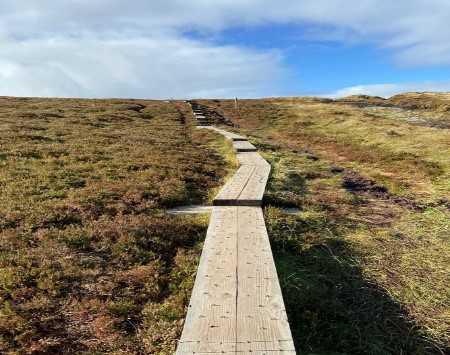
(261,314)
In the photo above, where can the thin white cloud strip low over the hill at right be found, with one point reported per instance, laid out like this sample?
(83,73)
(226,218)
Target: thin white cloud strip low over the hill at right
(388,90)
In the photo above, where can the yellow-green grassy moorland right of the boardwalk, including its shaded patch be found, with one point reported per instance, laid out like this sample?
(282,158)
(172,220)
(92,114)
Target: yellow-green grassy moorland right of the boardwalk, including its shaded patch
(364,263)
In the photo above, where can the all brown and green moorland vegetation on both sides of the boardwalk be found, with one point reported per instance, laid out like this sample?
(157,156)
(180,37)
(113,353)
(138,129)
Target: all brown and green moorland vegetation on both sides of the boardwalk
(90,262)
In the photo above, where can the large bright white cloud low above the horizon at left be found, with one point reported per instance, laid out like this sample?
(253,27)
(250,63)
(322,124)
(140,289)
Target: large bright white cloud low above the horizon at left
(159,67)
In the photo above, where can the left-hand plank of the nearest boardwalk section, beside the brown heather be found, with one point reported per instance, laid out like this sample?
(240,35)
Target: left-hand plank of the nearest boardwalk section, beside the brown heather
(211,317)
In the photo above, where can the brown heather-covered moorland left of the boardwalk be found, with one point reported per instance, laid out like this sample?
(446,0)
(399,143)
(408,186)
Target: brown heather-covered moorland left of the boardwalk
(89,260)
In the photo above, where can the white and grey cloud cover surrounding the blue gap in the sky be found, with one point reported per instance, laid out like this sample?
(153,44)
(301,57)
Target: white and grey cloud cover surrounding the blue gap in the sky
(107,48)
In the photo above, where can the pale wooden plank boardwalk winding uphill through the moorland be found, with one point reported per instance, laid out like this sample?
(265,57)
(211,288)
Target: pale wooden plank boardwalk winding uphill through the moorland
(236,305)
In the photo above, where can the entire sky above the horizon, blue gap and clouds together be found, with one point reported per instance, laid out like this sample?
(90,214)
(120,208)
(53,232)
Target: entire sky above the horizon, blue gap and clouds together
(223,48)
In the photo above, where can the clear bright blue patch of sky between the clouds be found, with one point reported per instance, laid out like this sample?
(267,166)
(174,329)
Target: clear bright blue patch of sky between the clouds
(321,66)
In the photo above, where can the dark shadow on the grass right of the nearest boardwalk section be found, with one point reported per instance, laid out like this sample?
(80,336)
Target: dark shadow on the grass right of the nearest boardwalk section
(333,309)
